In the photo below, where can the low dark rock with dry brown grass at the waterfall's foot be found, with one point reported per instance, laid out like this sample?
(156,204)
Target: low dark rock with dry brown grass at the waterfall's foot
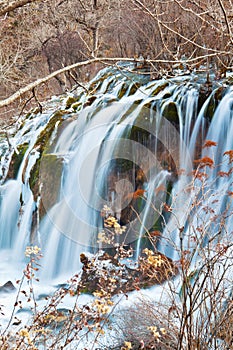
(102,267)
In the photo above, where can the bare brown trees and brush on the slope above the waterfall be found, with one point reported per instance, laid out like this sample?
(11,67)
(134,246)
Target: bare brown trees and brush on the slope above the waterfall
(63,43)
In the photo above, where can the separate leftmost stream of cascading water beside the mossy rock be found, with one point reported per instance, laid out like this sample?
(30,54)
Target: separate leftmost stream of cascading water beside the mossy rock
(16,199)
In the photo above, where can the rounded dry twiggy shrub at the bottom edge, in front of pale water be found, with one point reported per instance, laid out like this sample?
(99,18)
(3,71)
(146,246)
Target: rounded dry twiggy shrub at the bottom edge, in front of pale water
(146,325)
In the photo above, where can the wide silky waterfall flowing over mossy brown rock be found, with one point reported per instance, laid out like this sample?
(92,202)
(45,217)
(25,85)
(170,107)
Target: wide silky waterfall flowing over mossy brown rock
(88,149)
